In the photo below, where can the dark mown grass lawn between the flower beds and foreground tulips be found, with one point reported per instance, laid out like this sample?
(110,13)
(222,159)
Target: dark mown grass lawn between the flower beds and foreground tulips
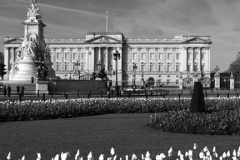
(127,133)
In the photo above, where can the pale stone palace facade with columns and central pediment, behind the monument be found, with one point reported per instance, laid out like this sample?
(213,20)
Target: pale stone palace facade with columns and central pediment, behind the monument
(158,60)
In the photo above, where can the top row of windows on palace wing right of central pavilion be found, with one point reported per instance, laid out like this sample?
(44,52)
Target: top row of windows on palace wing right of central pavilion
(169,56)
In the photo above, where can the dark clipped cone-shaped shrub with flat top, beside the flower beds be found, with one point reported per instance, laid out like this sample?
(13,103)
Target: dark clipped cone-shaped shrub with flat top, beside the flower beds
(197,103)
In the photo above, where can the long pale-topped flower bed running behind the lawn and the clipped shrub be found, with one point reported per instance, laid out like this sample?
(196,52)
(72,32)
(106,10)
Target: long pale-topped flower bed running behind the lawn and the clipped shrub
(51,109)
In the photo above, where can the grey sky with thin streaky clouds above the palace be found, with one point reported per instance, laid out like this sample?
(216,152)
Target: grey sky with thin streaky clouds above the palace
(219,19)
